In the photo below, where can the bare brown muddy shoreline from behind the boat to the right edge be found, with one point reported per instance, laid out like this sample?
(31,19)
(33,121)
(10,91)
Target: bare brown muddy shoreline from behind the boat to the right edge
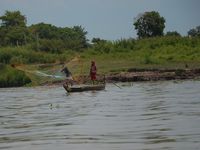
(136,75)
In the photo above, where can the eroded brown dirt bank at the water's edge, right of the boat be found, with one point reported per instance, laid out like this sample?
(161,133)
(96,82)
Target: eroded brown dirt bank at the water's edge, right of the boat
(154,75)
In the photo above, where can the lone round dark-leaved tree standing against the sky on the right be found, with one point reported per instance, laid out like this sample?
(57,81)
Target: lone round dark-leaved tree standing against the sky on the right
(149,24)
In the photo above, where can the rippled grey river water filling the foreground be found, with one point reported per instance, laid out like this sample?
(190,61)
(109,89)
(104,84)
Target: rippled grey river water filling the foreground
(139,116)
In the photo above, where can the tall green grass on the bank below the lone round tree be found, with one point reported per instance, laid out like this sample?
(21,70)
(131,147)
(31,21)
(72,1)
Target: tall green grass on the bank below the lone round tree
(159,52)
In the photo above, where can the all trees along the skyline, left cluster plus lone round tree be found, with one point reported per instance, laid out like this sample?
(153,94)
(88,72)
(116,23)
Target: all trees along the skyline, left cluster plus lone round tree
(44,37)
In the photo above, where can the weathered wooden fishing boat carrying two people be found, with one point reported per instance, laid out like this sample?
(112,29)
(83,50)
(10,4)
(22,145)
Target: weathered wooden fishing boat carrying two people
(82,88)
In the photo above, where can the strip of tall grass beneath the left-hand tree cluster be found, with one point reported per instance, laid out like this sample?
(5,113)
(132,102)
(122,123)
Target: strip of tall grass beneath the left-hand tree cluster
(22,55)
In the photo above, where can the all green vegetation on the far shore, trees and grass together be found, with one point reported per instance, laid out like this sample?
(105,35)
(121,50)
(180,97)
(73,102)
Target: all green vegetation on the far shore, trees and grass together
(27,49)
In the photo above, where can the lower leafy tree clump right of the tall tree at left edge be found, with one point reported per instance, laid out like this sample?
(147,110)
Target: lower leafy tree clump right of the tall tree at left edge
(63,38)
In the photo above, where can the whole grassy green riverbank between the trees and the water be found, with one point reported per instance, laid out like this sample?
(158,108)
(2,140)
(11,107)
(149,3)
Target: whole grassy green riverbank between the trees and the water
(111,57)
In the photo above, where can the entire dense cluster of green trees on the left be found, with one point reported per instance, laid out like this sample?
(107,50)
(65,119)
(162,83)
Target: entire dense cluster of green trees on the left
(41,36)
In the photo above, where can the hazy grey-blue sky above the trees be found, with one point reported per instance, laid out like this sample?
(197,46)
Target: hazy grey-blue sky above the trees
(107,19)
